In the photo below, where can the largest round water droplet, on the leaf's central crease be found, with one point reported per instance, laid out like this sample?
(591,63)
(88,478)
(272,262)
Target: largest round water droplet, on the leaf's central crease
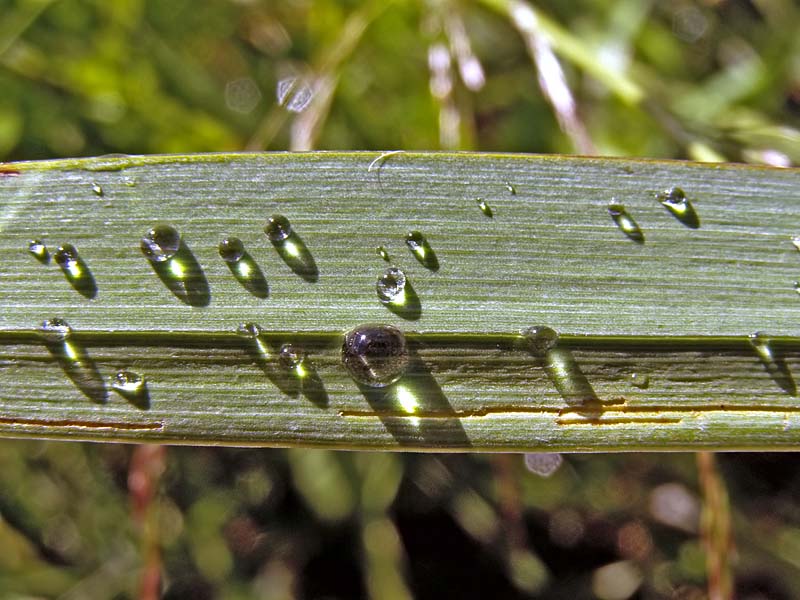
(375,355)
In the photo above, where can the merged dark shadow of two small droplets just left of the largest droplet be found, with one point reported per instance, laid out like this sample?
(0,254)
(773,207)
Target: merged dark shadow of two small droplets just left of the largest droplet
(265,356)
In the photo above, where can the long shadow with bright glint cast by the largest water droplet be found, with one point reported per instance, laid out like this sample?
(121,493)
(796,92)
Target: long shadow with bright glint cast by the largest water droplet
(415,410)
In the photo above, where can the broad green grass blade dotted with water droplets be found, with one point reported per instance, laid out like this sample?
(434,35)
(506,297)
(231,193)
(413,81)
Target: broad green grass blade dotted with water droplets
(654,351)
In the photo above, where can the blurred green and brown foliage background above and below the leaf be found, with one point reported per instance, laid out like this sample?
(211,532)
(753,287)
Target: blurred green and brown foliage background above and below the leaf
(707,80)
